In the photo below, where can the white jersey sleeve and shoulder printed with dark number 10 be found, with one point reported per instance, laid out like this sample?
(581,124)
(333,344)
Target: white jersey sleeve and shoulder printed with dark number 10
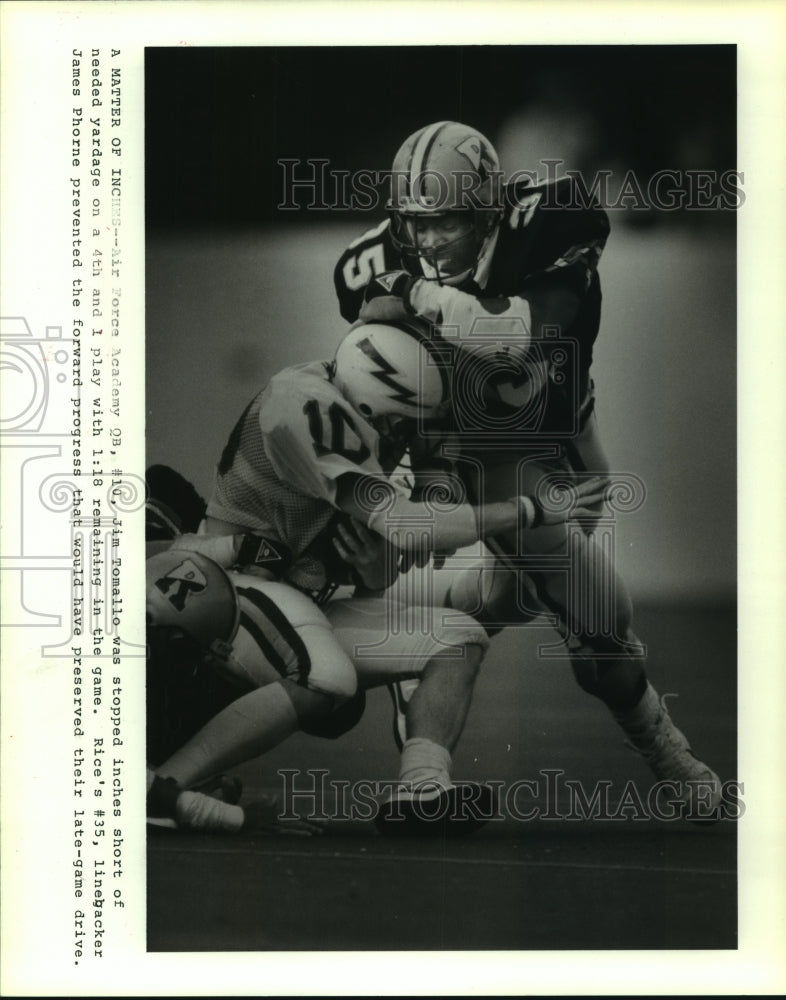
(311,436)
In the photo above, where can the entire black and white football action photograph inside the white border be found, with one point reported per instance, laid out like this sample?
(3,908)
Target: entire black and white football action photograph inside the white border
(440,429)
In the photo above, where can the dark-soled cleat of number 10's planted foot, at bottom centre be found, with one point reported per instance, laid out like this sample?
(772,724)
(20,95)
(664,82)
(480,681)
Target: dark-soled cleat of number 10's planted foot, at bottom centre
(433,811)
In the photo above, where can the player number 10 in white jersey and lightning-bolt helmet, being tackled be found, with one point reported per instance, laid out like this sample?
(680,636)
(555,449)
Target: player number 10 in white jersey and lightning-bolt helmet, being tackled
(323,441)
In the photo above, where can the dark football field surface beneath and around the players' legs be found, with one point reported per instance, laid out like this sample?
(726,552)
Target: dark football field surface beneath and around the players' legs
(611,881)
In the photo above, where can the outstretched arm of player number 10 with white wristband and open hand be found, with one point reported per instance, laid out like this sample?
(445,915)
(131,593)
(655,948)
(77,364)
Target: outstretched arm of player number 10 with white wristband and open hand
(375,502)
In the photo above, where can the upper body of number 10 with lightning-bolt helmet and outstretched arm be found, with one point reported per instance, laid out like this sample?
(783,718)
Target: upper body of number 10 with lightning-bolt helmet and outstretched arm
(326,438)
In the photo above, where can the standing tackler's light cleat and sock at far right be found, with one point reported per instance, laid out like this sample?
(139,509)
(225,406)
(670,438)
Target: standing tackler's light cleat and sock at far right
(667,751)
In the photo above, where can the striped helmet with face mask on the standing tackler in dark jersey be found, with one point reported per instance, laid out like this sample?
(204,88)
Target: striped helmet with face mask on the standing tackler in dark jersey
(445,168)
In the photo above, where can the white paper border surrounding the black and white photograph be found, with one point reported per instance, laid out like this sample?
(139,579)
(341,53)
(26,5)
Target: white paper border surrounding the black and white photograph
(37,954)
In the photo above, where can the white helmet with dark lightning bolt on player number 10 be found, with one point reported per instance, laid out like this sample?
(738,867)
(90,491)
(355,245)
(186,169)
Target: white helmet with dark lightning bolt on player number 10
(392,370)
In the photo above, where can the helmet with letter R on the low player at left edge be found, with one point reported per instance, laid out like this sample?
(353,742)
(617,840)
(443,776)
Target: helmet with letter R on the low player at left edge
(187,590)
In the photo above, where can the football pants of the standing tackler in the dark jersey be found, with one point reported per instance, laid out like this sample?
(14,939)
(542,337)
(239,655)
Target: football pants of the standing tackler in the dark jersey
(571,571)
